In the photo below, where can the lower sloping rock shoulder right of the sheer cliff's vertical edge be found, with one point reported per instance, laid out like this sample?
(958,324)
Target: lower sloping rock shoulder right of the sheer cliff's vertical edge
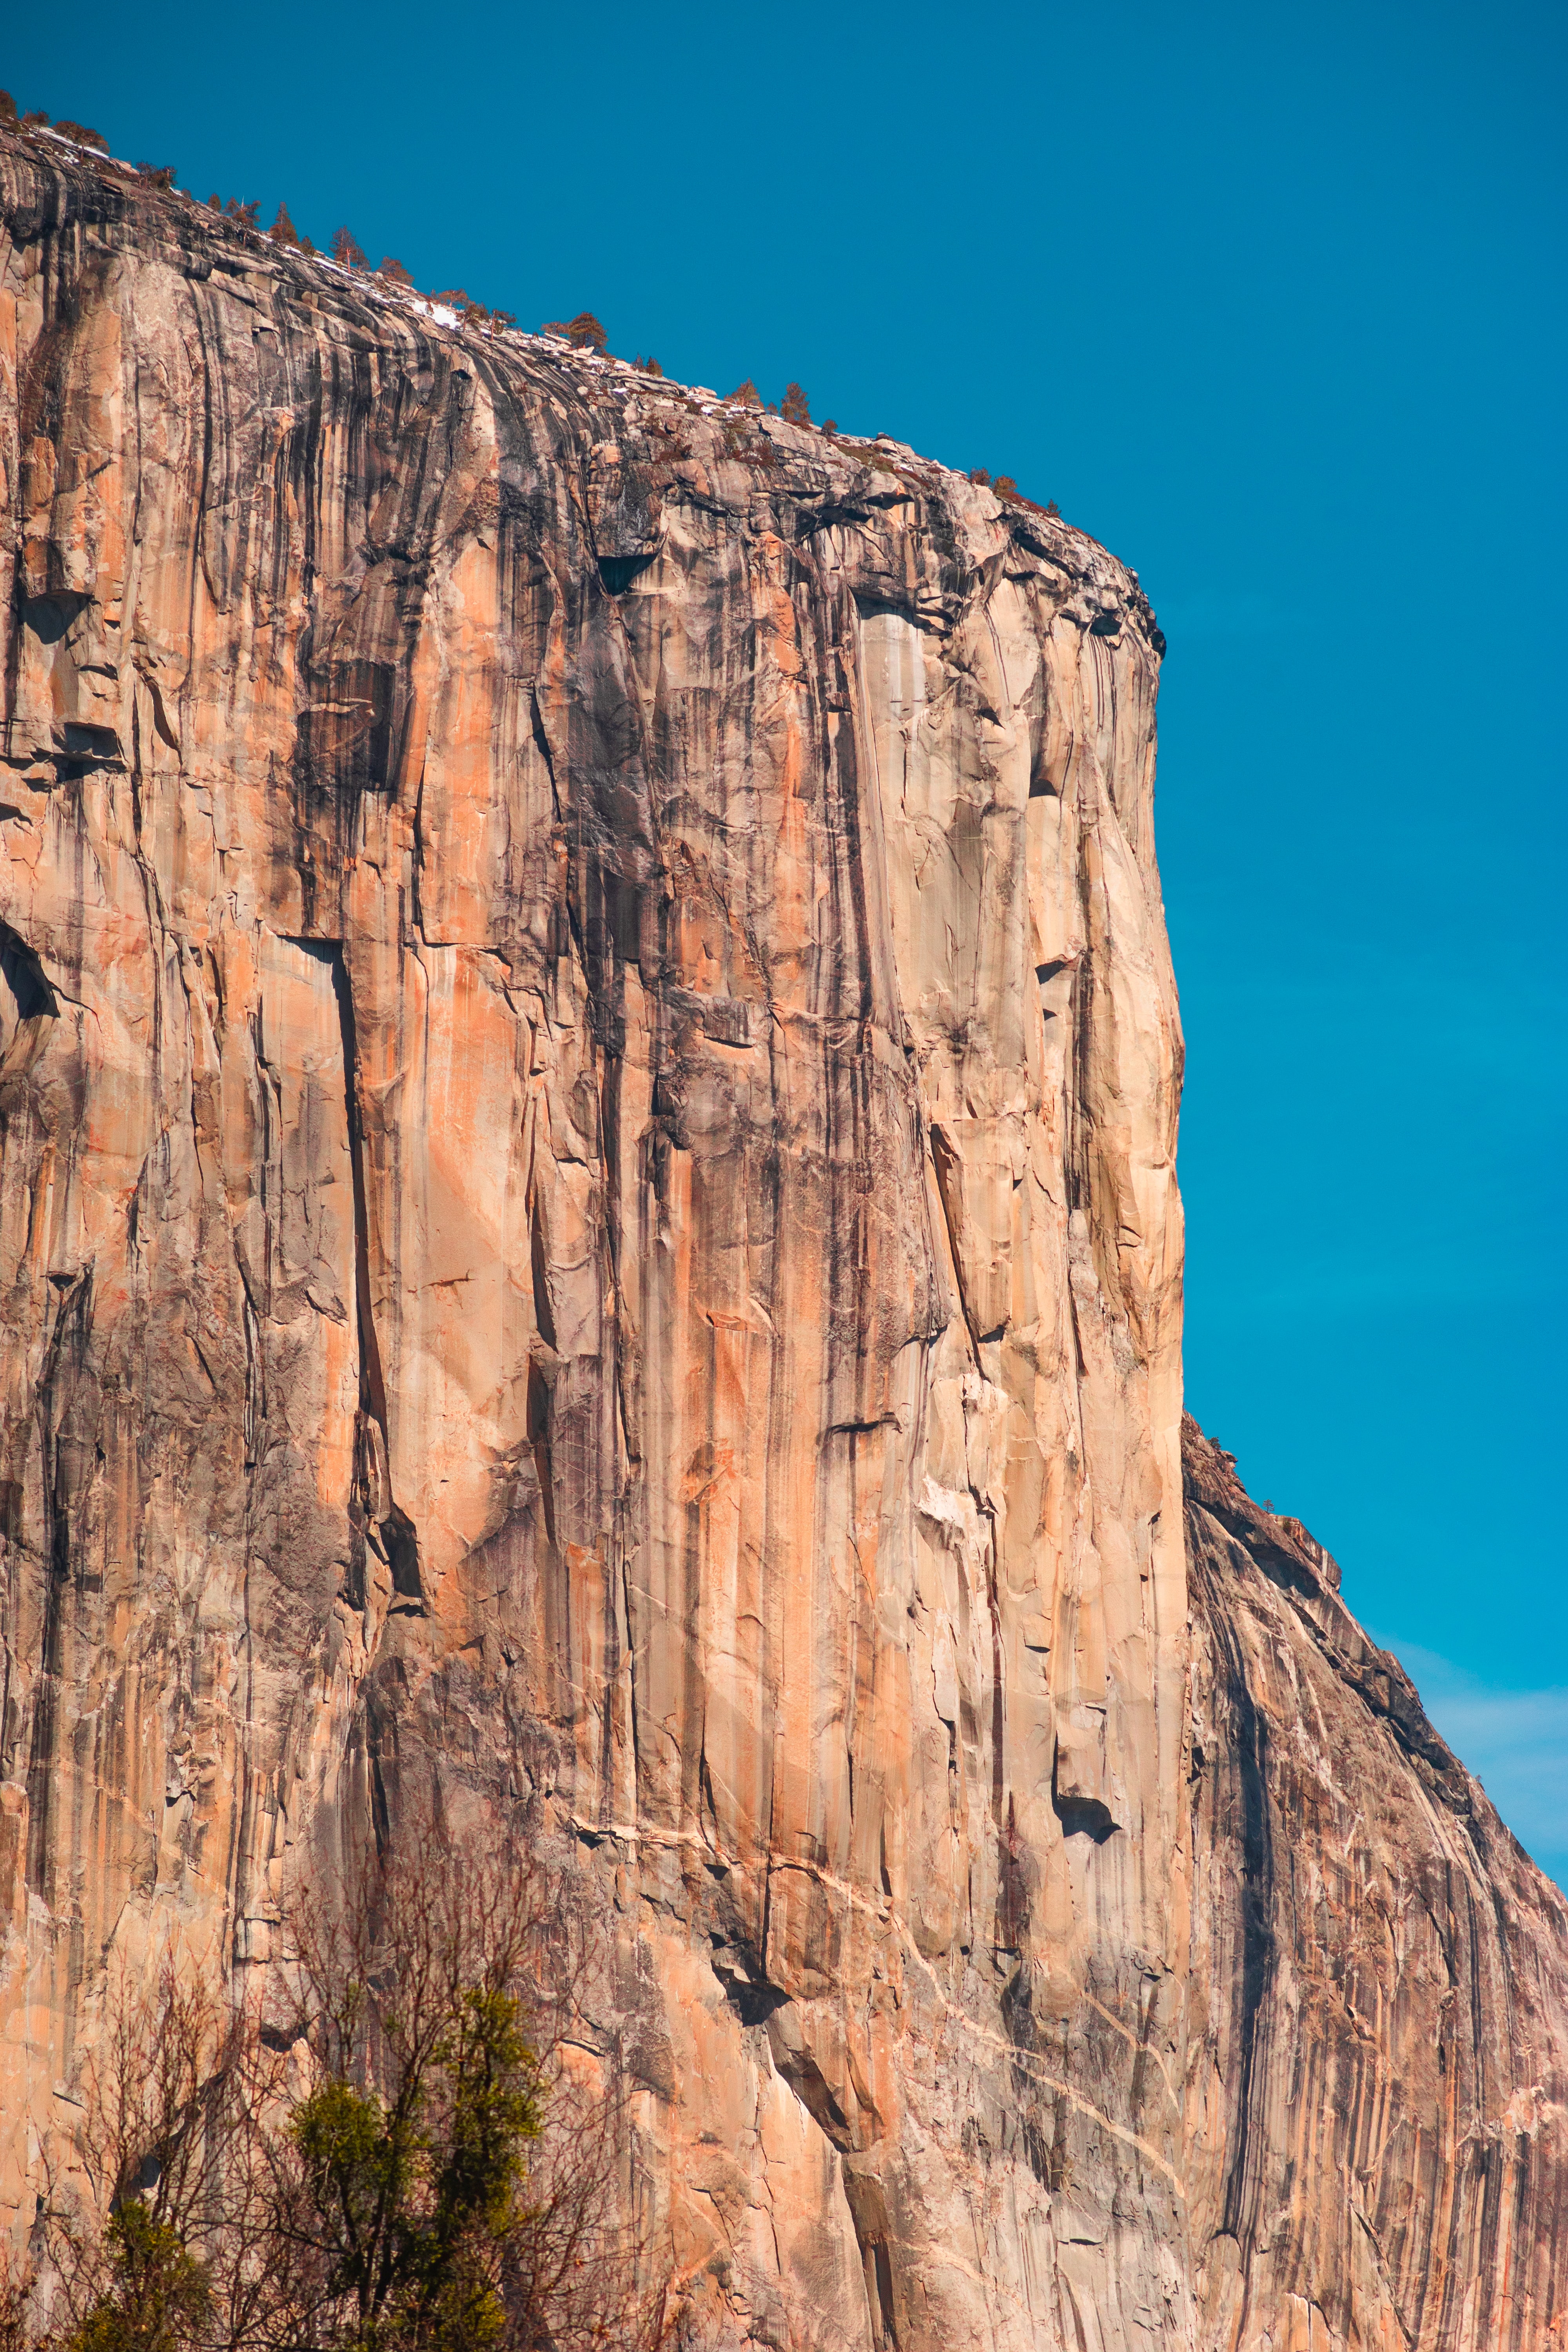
(1376,2141)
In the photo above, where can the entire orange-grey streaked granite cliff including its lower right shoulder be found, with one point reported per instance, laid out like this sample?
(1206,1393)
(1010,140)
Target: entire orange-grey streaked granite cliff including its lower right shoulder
(589,1227)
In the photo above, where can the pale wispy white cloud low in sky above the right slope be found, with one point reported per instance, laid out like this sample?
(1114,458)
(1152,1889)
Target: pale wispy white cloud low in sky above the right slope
(1513,1742)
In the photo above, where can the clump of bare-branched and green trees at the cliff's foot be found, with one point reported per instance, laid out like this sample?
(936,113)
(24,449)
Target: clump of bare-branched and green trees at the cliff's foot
(384,2151)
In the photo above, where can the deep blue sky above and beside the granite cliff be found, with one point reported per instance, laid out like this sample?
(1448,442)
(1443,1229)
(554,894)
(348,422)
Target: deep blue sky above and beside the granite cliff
(1273,302)
